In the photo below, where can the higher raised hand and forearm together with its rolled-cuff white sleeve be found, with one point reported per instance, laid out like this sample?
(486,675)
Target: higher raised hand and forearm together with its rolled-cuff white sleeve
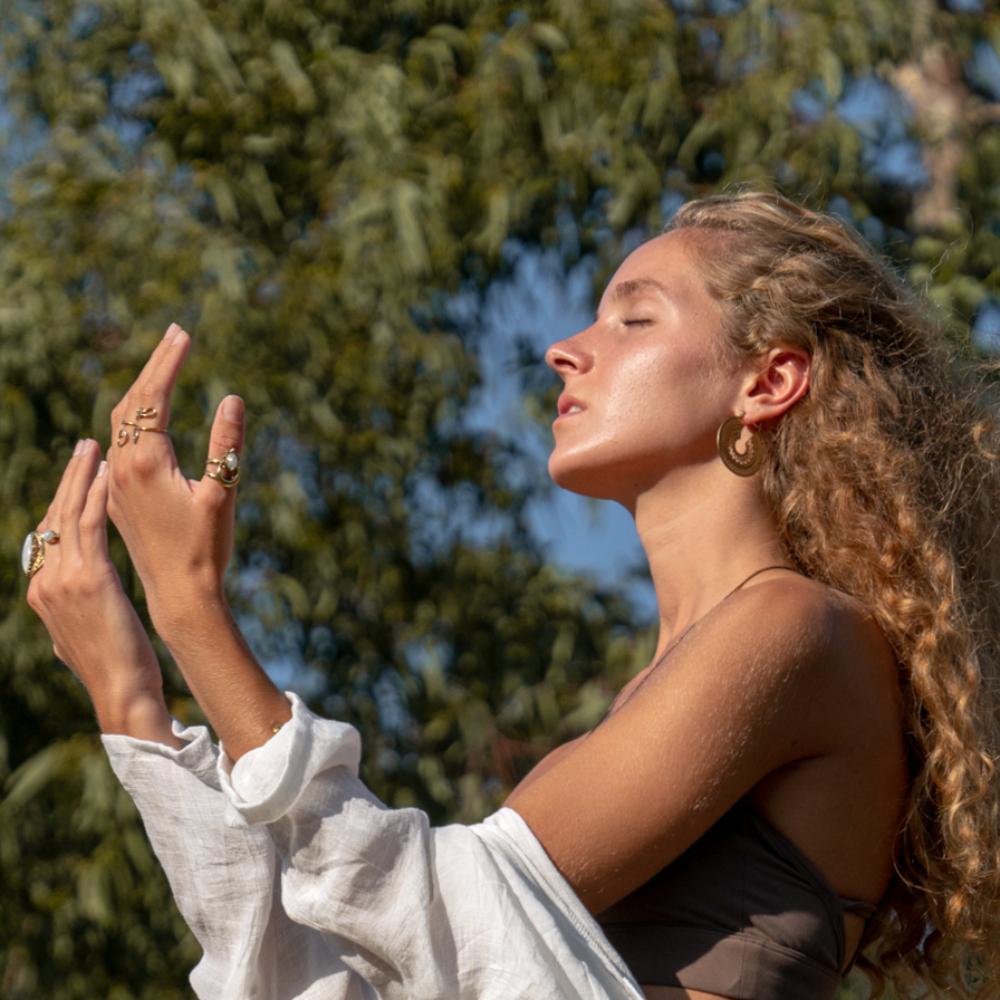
(464,913)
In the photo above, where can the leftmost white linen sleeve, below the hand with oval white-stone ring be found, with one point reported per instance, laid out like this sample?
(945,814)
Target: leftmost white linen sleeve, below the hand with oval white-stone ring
(225,879)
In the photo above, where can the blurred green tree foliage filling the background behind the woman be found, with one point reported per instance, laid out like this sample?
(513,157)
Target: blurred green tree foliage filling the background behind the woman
(306,186)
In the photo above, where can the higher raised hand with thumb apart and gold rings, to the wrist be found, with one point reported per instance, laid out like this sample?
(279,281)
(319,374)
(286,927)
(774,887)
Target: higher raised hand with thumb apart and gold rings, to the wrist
(179,531)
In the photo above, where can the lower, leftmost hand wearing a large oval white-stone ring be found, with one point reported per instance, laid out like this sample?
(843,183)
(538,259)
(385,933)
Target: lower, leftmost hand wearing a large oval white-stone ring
(78,595)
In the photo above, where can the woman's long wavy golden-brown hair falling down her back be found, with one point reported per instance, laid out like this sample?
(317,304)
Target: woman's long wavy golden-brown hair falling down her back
(885,483)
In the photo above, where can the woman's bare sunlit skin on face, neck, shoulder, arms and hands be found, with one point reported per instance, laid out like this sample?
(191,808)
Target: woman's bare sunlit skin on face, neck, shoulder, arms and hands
(744,708)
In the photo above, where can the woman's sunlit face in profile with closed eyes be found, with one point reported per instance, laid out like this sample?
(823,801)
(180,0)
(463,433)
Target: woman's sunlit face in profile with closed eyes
(646,376)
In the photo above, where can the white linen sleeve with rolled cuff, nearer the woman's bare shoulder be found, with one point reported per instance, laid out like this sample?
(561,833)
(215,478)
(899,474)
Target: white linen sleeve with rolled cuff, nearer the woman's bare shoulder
(458,912)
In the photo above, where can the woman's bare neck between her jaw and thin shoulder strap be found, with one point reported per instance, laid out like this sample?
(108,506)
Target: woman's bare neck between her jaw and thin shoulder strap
(704,530)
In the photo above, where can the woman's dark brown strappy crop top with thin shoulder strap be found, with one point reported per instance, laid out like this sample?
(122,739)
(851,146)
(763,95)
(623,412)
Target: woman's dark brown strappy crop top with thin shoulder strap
(742,912)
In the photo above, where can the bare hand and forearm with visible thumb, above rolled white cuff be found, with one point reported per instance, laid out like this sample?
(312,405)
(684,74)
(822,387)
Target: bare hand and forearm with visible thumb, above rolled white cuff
(179,535)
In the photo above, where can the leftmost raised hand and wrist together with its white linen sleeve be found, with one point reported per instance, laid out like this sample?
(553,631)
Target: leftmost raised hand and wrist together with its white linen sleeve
(223,877)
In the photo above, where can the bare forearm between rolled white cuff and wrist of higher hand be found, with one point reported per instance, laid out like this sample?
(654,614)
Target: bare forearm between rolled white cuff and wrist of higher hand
(240,701)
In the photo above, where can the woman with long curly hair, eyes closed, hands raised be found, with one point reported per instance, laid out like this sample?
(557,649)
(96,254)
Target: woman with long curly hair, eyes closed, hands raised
(806,766)
